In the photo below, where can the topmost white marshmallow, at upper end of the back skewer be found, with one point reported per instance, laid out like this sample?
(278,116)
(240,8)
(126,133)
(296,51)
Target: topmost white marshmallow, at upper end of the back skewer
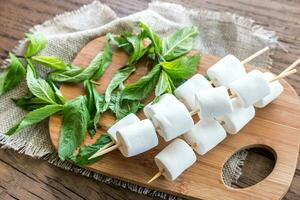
(226,70)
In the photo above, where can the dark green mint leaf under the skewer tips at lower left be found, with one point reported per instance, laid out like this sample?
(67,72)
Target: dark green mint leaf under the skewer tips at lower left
(86,151)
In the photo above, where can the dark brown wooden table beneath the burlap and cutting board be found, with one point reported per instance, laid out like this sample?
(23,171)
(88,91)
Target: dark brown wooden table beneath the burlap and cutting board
(22,177)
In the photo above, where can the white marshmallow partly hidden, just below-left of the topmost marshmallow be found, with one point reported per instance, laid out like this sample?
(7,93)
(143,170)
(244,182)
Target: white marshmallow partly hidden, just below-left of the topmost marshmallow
(186,92)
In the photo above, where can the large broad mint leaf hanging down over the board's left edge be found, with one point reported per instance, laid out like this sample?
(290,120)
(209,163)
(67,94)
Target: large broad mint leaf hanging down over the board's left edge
(75,117)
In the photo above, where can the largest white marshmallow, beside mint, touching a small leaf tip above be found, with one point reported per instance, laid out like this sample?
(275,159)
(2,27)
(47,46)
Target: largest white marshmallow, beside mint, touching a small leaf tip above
(170,116)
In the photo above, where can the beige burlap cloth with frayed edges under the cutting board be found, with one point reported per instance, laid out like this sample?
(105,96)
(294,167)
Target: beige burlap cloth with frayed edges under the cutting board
(220,34)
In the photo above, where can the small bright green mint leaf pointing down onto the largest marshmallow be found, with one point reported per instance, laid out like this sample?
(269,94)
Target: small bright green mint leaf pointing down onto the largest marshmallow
(164,85)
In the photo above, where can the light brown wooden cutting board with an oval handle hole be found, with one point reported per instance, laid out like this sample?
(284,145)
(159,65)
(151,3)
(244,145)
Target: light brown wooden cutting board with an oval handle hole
(276,127)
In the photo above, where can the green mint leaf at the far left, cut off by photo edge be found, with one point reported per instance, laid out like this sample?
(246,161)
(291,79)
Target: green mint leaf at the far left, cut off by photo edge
(13,75)
